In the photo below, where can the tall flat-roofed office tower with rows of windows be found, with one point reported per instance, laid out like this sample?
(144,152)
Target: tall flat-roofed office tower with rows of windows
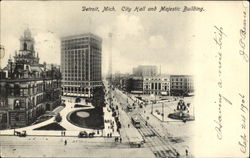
(81,63)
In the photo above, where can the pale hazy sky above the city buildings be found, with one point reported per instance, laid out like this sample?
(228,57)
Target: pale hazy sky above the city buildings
(151,38)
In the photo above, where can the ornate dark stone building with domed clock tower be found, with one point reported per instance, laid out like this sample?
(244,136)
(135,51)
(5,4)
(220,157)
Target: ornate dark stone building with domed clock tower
(27,88)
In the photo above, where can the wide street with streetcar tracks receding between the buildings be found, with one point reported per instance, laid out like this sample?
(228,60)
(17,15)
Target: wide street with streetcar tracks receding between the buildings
(159,136)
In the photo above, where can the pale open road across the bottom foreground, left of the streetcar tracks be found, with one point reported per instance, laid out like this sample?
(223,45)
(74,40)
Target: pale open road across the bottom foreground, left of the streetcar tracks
(76,147)
